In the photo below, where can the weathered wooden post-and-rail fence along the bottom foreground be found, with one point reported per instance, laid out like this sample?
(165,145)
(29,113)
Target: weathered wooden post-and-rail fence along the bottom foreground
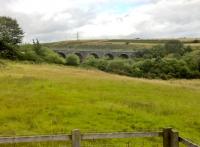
(170,137)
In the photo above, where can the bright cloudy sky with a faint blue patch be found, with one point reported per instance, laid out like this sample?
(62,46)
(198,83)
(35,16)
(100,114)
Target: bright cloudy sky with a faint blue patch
(54,20)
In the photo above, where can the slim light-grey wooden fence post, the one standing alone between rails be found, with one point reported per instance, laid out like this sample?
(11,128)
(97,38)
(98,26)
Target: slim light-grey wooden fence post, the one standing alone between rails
(76,138)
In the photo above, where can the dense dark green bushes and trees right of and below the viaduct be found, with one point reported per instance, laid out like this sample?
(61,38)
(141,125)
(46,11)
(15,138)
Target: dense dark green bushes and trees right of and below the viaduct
(156,63)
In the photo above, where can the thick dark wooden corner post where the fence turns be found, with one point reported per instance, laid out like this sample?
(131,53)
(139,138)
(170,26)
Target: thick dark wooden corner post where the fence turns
(170,138)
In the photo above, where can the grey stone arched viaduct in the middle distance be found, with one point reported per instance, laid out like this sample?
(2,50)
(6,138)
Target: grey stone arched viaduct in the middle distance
(111,54)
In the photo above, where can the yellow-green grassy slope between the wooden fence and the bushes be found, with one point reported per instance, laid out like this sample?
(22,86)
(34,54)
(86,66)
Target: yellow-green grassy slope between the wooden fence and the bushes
(40,99)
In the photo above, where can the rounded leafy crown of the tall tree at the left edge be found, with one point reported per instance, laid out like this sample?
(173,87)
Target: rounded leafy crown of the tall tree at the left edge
(10,32)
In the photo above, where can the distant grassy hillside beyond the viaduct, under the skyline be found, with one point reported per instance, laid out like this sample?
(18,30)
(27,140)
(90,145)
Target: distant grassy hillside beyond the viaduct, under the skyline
(115,44)
